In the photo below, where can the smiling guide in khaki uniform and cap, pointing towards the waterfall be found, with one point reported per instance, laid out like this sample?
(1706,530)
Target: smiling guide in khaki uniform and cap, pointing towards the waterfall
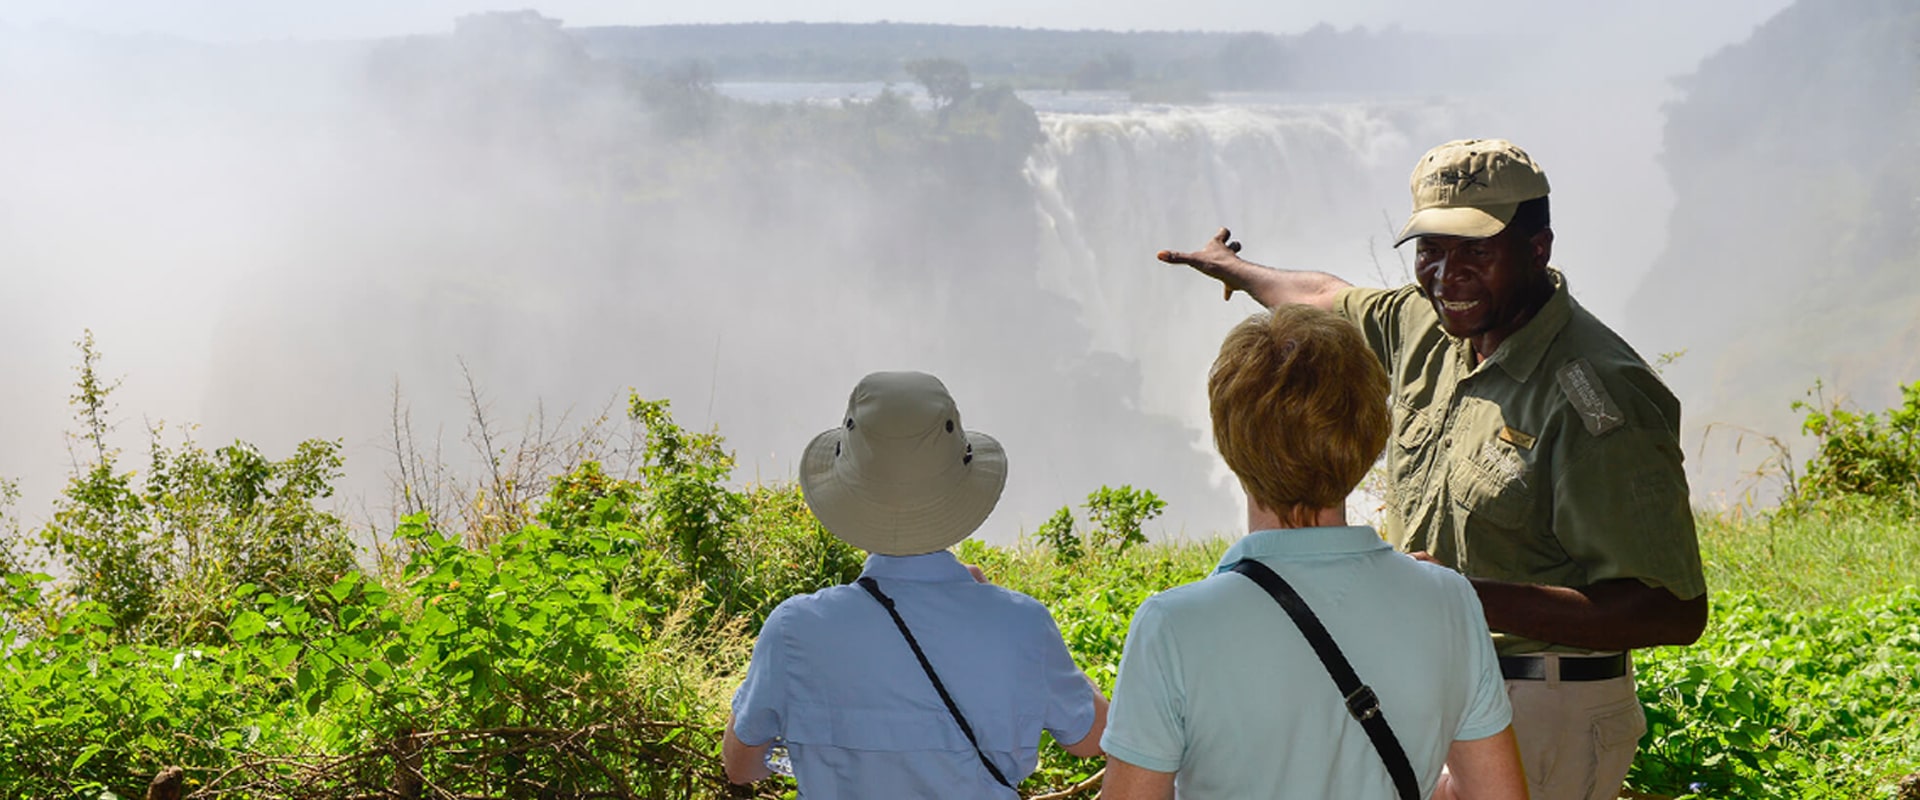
(1533,452)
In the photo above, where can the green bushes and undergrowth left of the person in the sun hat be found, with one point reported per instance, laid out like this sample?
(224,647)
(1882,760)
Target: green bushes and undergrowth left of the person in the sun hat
(206,623)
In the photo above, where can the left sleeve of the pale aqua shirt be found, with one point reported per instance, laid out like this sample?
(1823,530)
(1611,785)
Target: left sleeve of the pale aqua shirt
(1145,724)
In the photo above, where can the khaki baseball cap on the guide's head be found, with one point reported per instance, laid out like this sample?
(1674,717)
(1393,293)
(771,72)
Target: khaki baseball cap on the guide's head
(1472,189)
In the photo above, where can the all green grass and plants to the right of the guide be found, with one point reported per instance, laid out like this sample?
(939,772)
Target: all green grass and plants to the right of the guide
(1804,684)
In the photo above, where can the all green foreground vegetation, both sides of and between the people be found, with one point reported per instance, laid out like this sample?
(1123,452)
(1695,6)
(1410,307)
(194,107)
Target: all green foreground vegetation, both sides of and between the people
(206,621)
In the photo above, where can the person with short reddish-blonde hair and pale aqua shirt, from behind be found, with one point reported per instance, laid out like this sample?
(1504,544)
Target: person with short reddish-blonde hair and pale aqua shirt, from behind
(1220,692)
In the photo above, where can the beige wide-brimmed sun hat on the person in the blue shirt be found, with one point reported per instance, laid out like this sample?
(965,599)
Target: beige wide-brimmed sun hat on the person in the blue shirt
(900,477)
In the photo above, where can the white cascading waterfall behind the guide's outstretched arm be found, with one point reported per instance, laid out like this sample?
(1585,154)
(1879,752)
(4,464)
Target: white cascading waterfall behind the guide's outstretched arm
(1305,187)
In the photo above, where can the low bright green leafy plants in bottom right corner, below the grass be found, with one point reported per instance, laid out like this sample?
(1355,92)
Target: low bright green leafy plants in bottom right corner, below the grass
(1798,705)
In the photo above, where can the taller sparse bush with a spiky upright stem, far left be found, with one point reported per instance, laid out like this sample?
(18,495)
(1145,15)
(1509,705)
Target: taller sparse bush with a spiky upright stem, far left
(160,555)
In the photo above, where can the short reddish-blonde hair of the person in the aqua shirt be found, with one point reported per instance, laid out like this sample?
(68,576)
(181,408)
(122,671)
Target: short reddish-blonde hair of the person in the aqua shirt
(1299,408)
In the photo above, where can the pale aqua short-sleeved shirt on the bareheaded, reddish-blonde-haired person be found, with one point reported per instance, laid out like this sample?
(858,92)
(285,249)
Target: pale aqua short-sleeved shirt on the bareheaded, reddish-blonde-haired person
(1218,686)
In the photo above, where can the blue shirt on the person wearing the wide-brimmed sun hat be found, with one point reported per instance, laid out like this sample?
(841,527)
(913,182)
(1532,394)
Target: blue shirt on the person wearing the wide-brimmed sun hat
(834,678)
